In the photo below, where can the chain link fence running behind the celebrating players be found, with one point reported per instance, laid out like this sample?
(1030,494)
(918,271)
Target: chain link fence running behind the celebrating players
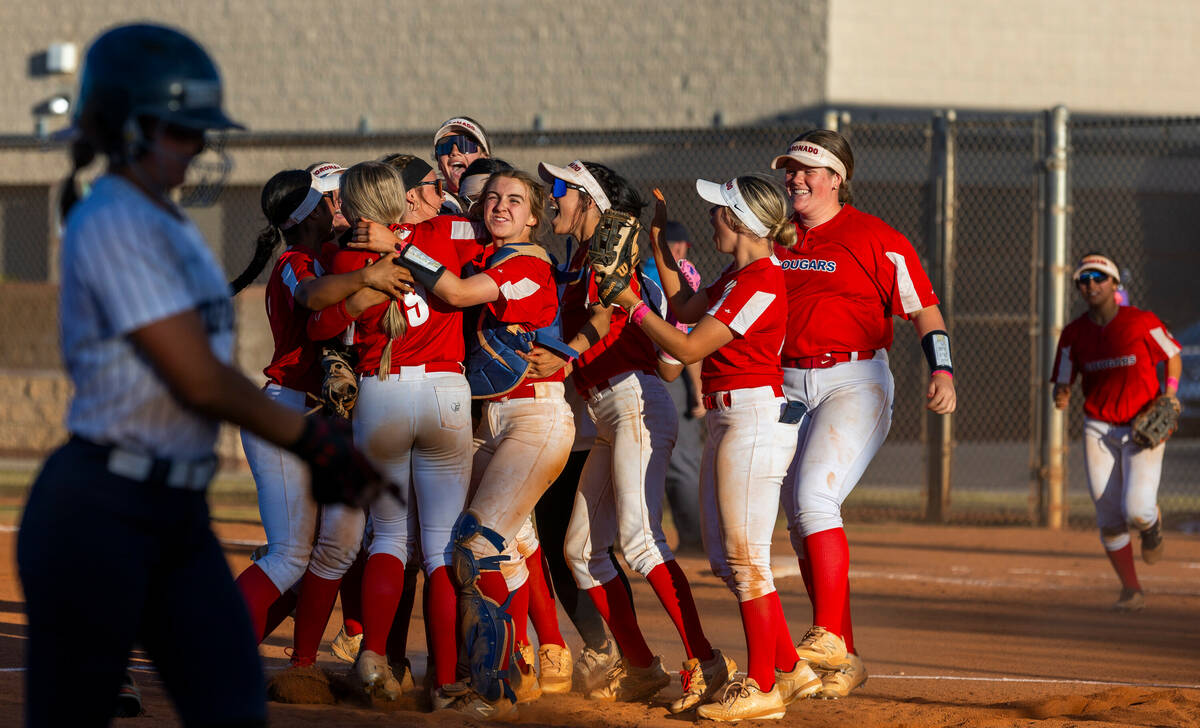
(1135,185)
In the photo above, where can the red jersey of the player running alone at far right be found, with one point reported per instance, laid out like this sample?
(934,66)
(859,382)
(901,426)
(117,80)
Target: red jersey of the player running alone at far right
(1118,362)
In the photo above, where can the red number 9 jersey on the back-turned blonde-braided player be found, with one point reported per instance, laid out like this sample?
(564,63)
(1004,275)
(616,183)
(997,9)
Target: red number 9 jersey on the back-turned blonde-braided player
(435,328)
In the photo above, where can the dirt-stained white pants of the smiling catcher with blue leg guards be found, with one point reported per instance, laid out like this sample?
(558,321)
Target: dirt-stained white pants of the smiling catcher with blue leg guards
(521,448)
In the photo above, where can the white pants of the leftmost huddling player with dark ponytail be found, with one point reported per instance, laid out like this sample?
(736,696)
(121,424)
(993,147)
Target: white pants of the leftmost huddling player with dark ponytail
(290,515)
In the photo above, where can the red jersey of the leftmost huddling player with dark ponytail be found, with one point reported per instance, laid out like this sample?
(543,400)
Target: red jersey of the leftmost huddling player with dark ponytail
(295,364)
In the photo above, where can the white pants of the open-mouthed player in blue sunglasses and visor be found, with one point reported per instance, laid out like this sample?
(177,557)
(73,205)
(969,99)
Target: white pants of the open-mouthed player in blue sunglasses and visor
(623,482)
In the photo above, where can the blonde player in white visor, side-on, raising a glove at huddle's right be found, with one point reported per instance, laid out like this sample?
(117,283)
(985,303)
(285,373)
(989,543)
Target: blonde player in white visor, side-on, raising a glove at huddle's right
(741,322)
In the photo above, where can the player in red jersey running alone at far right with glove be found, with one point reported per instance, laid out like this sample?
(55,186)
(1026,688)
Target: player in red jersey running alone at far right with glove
(1117,350)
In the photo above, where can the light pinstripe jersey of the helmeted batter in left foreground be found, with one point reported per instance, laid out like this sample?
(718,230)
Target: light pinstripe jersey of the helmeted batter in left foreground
(128,263)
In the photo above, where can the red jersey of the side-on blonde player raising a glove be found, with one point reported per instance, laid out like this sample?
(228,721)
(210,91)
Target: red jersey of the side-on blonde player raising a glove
(753,303)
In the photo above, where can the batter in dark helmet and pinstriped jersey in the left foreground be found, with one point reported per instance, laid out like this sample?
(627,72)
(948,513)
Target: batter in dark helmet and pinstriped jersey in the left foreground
(147,334)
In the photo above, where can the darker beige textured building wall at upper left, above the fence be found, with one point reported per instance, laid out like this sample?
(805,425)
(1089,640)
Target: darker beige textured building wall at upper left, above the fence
(410,65)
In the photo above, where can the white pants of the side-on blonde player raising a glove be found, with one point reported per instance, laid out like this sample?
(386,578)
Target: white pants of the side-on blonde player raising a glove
(746,460)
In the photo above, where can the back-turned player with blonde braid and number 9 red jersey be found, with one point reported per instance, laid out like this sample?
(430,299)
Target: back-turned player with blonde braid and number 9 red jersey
(412,419)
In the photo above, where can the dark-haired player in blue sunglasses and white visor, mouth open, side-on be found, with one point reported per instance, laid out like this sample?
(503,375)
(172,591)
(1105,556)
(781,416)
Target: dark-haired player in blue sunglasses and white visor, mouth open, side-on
(620,498)
